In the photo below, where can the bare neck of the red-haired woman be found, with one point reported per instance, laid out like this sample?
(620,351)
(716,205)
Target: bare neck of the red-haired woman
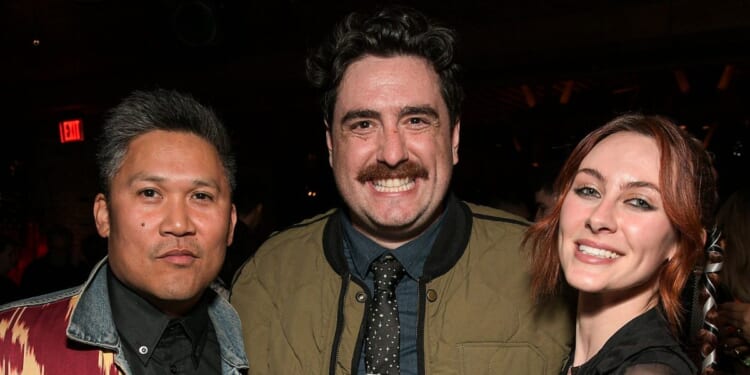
(600,316)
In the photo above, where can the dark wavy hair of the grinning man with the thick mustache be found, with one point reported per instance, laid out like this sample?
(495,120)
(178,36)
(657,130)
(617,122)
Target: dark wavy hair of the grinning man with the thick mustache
(391,31)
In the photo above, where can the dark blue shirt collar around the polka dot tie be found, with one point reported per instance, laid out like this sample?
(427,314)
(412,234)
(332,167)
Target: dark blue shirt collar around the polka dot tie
(411,255)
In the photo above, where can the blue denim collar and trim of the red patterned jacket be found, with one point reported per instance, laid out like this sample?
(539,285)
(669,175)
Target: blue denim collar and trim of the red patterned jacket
(91,322)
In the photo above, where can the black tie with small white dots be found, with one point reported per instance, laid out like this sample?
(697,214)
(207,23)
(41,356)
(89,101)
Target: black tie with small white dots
(382,340)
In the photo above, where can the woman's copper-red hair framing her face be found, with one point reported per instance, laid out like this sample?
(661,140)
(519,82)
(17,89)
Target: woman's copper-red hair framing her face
(688,188)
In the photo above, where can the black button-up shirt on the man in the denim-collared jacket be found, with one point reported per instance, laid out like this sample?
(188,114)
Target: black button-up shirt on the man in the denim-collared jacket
(154,343)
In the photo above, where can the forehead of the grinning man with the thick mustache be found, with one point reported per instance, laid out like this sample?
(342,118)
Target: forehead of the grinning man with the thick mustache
(397,80)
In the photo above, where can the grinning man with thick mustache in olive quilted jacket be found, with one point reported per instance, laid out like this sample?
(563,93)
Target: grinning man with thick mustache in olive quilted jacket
(406,269)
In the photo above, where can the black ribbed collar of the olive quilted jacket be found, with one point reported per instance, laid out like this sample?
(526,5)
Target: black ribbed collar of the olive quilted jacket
(449,246)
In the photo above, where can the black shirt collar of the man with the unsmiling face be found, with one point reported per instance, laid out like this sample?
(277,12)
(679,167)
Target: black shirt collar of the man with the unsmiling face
(140,324)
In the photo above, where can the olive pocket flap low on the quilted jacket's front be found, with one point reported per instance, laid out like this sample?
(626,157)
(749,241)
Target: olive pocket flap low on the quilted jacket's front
(500,358)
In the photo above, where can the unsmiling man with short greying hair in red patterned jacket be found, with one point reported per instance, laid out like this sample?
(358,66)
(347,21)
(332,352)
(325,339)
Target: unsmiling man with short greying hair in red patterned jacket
(167,175)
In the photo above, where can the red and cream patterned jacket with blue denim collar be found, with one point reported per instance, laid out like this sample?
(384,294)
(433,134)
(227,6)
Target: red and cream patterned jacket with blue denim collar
(72,332)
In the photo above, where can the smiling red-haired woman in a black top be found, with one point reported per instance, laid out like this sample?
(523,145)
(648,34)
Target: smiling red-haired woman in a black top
(635,198)
